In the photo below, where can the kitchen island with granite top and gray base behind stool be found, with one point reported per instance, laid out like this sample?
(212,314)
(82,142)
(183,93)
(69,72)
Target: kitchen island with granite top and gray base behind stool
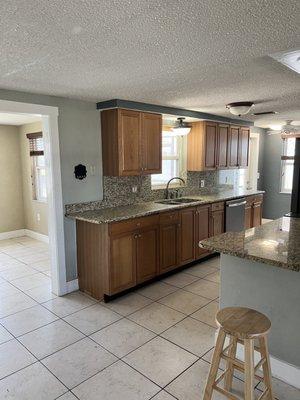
(260,269)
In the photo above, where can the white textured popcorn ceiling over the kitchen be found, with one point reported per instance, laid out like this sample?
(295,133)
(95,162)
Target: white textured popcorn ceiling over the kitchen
(192,54)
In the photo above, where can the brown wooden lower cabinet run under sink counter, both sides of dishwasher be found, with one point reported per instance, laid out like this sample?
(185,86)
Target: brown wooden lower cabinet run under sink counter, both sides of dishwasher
(117,256)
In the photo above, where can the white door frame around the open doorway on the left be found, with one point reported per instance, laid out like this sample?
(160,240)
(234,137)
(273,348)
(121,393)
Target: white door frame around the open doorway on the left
(49,117)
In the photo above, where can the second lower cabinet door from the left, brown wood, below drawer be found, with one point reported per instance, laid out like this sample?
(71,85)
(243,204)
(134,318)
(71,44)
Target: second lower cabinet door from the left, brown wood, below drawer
(147,254)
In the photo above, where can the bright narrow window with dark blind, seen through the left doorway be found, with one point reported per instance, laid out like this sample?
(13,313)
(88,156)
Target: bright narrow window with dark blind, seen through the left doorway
(38,174)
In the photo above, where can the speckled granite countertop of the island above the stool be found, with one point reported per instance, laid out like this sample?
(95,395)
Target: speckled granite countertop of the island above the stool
(276,243)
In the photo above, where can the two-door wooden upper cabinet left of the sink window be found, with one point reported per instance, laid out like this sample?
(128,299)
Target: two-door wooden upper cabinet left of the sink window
(131,142)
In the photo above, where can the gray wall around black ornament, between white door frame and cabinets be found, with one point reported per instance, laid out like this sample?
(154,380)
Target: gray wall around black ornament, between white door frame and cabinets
(79,135)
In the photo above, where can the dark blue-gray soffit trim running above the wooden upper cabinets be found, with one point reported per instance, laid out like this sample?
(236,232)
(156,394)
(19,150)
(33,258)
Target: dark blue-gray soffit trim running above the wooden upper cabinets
(155,108)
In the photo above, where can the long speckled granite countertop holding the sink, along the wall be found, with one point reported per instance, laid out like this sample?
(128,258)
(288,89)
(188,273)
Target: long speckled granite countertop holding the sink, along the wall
(113,214)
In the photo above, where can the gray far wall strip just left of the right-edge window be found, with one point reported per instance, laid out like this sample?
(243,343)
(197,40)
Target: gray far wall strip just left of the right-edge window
(276,204)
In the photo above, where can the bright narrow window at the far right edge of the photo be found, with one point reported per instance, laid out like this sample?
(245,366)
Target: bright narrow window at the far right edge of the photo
(287,165)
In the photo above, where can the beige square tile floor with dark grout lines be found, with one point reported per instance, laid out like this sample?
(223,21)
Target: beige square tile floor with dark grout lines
(154,343)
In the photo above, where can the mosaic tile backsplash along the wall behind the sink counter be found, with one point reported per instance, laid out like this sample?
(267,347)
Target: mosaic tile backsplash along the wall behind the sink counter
(117,191)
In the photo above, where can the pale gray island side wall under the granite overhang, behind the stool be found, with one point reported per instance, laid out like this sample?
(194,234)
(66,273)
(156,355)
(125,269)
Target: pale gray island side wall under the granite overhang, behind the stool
(271,290)
